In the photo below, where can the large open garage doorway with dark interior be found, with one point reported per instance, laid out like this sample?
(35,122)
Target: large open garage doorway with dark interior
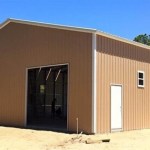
(47,97)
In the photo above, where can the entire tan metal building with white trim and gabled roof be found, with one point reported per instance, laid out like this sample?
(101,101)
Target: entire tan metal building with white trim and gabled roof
(54,76)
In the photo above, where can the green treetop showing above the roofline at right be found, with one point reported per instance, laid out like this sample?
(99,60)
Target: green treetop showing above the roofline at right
(143,38)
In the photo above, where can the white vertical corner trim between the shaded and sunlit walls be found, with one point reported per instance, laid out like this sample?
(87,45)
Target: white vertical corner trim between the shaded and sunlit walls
(94,107)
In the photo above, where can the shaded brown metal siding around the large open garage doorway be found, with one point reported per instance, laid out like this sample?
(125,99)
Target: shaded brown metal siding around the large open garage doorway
(25,46)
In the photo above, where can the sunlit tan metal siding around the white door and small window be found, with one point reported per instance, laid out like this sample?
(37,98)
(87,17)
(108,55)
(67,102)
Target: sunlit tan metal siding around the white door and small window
(118,63)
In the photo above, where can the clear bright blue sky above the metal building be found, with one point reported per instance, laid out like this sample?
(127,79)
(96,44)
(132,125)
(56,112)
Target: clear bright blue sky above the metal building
(124,18)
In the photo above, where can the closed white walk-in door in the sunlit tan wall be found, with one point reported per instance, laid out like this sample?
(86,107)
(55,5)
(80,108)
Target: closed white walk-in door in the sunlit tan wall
(116,107)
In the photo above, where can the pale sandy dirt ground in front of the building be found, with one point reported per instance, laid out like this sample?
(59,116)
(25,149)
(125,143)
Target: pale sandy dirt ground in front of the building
(25,139)
